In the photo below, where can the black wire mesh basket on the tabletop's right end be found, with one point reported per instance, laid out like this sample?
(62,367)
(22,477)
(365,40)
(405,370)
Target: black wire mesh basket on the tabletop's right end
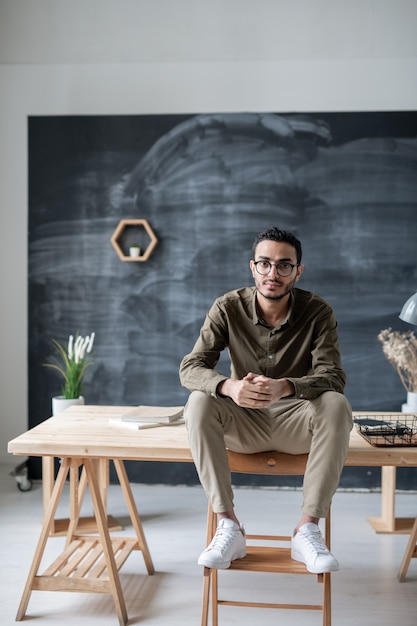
(388,430)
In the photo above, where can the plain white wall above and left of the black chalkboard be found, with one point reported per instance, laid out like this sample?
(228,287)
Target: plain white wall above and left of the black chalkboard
(175,56)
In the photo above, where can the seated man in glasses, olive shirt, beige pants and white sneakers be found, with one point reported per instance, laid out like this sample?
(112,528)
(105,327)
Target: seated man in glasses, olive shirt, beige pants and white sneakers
(285,393)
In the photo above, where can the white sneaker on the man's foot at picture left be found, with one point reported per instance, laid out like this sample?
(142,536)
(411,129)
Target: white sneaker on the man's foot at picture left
(228,544)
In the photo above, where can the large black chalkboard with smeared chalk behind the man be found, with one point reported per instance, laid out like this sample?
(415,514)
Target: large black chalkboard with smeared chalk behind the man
(344,183)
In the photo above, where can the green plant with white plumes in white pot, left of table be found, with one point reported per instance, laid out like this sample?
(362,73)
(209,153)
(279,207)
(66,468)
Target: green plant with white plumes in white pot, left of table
(71,364)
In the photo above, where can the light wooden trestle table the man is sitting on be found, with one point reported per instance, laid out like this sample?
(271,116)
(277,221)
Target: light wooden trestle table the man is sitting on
(84,436)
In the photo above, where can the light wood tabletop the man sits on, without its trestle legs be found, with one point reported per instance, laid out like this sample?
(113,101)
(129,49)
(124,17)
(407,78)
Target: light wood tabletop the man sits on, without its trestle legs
(89,431)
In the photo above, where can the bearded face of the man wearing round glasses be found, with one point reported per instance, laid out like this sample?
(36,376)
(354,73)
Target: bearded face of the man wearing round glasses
(272,286)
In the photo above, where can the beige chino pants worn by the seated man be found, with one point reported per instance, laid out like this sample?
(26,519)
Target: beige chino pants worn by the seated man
(320,427)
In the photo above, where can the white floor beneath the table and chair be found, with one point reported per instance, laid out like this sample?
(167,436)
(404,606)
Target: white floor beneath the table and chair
(365,590)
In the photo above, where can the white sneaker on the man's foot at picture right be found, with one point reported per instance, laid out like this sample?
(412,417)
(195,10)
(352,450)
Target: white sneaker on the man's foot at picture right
(308,547)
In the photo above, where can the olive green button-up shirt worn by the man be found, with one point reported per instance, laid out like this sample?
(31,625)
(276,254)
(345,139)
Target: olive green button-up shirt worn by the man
(303,349)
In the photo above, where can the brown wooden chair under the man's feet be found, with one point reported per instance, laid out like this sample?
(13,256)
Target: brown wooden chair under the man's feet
(264,558)
